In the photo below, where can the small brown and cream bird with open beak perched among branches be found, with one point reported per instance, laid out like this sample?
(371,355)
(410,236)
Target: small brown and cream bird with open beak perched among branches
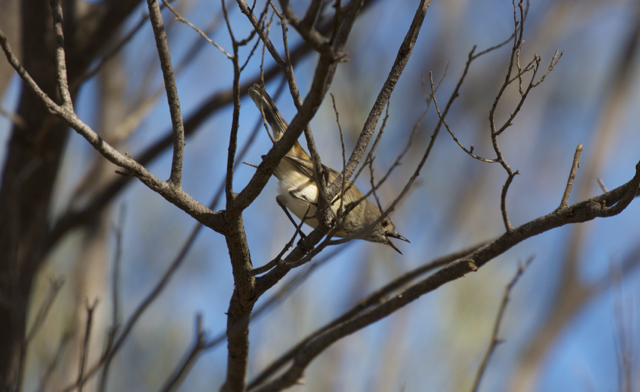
(299,190)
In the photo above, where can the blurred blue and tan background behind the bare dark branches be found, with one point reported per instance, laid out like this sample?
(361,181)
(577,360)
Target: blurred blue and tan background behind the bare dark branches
(573,314)
